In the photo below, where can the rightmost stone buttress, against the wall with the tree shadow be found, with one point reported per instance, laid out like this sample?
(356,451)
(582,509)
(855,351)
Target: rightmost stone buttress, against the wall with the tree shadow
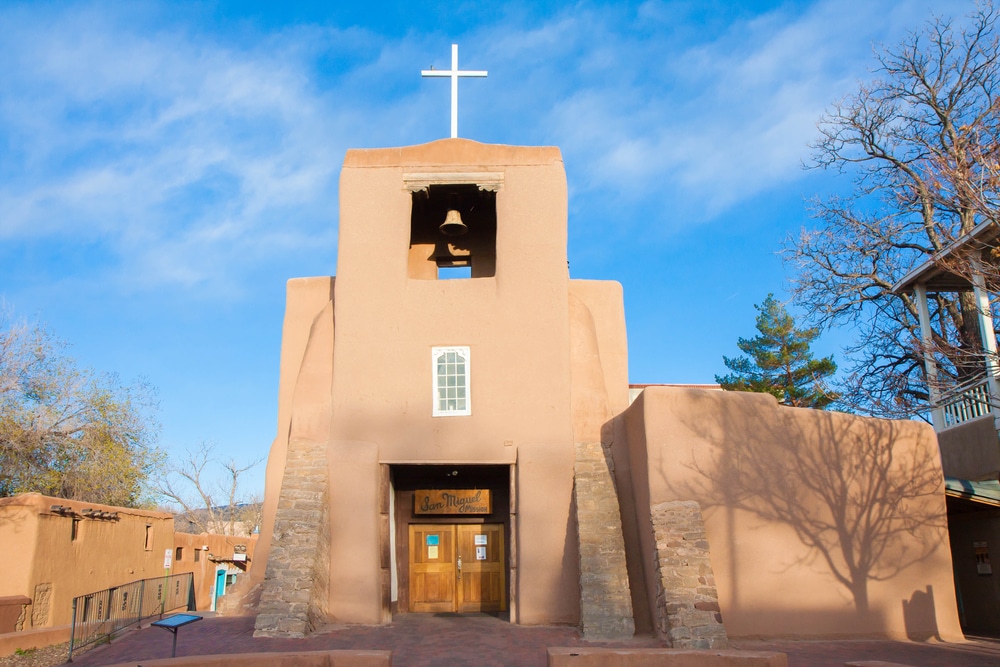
(687,602)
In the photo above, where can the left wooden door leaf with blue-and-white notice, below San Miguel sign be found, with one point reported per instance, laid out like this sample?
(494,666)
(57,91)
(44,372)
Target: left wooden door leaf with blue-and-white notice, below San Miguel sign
(432,568)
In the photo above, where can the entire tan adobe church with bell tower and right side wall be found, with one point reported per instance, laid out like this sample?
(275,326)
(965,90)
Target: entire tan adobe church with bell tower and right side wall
(465,443)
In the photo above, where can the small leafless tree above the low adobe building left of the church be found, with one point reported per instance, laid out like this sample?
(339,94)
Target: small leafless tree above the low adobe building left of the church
(211,506)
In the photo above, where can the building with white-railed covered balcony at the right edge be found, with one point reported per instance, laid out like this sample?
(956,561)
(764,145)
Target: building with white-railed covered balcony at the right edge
(966,416)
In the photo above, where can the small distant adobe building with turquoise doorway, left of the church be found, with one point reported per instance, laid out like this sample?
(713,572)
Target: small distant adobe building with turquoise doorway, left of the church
(221,550)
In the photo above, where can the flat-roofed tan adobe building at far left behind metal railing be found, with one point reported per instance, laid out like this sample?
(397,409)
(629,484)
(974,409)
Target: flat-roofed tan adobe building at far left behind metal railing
(55,568)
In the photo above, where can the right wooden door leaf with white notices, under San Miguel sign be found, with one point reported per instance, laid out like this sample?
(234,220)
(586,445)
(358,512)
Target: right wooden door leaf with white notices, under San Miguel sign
(481,581)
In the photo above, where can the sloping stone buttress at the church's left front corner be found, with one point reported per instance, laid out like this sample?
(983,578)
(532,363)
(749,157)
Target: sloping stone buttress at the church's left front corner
(293,600)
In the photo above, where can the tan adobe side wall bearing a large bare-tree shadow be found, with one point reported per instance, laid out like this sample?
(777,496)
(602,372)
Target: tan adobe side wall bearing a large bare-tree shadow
(781,490)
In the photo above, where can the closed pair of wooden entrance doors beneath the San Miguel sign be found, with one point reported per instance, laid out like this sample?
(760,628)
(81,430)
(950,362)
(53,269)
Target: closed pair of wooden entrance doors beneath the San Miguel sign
(457,568)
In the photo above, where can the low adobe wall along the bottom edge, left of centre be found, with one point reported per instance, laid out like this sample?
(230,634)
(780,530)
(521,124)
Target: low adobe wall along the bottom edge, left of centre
(291,659)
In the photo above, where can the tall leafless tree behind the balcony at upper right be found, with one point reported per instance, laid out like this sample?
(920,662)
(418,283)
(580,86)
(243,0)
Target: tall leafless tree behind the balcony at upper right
(921,144)
